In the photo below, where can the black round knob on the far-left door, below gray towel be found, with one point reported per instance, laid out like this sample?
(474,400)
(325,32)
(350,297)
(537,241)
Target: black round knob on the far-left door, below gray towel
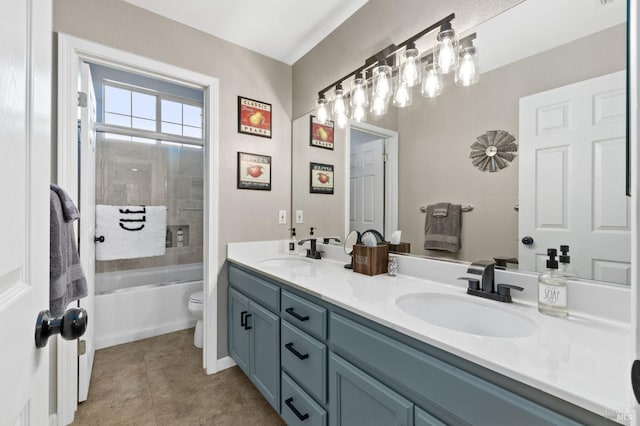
(70,326)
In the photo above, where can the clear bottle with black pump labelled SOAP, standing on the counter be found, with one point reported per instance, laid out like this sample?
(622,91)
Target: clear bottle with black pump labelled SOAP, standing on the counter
(552,289)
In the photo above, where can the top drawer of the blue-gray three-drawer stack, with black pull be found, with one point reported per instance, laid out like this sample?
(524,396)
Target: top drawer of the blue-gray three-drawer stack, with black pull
(304,314)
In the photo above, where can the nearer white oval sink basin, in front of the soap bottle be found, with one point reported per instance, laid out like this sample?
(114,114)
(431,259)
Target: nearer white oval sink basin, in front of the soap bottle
(464,314)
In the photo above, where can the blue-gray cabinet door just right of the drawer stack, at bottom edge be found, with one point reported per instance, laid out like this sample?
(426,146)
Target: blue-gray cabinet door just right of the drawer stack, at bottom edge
(355,398)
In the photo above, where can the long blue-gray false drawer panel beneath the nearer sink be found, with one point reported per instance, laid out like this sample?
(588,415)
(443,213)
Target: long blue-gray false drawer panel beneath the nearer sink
(435,382)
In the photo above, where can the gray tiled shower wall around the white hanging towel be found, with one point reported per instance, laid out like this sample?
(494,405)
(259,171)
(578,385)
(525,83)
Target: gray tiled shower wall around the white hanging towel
(163,175)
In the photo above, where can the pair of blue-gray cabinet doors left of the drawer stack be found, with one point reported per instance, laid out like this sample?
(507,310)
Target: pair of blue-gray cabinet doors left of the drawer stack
(254,343)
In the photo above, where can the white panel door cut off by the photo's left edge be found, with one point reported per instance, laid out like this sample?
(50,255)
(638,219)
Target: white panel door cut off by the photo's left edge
(25,145)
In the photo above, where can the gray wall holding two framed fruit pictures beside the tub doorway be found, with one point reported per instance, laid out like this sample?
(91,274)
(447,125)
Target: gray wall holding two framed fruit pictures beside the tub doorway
(244,215)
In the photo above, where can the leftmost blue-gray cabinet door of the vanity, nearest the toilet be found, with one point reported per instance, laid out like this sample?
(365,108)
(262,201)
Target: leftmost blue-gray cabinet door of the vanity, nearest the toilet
(238,332)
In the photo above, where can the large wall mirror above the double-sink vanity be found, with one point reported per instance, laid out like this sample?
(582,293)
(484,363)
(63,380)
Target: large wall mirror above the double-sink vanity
(548,192)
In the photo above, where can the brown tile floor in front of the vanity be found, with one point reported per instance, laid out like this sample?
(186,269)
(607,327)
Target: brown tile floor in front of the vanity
(160,381)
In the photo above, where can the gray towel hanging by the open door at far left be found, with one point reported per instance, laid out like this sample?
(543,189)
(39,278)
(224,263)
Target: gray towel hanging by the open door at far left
(66,279)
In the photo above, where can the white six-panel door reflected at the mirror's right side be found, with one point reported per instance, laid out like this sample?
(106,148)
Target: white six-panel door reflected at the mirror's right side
(572,178)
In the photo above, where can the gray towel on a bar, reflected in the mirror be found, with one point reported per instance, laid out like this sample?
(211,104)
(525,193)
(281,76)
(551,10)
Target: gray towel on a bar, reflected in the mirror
(443,233)
